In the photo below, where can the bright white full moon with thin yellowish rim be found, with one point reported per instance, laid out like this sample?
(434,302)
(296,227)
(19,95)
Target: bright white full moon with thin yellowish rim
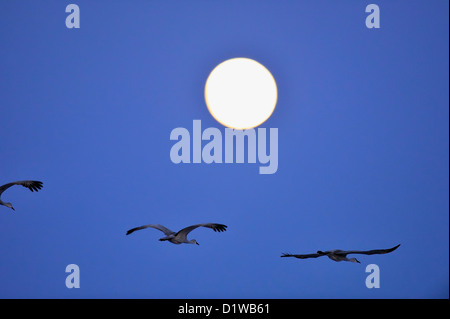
(241,93)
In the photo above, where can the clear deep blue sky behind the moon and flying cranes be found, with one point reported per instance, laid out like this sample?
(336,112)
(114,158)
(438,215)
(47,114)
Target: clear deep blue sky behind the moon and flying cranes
(362,116)
